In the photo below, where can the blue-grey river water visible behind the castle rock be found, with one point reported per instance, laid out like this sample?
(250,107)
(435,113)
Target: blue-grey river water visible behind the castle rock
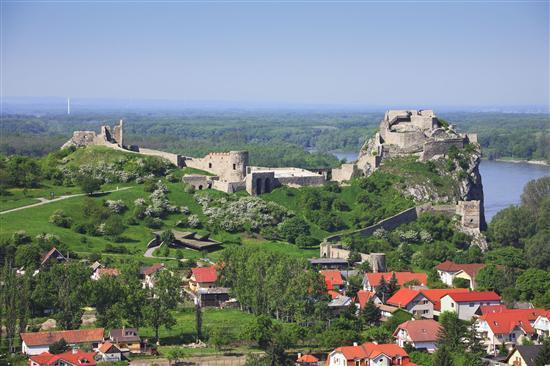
(503,182)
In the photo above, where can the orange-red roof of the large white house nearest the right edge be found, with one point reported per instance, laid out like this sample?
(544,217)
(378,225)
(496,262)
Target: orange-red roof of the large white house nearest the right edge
(505,321)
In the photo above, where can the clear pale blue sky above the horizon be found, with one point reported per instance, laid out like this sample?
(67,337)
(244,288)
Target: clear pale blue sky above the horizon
(372,53)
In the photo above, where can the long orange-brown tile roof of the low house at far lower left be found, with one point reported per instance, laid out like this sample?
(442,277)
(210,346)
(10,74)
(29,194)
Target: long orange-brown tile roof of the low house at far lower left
(70,336)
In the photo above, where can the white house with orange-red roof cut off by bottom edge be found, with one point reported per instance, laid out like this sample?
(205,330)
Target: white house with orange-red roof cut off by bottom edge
(368,354)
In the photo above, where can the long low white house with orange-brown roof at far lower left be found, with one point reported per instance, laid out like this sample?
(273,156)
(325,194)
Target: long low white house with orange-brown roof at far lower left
(39,342)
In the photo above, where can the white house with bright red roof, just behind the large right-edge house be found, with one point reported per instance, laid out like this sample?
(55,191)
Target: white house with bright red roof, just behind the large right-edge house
(467,304)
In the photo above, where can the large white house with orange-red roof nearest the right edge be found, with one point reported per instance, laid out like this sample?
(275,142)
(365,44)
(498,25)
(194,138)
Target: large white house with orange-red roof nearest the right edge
(509,327)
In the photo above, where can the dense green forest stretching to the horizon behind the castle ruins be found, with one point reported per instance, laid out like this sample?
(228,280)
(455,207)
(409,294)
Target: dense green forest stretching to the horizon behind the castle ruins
(280,138)
